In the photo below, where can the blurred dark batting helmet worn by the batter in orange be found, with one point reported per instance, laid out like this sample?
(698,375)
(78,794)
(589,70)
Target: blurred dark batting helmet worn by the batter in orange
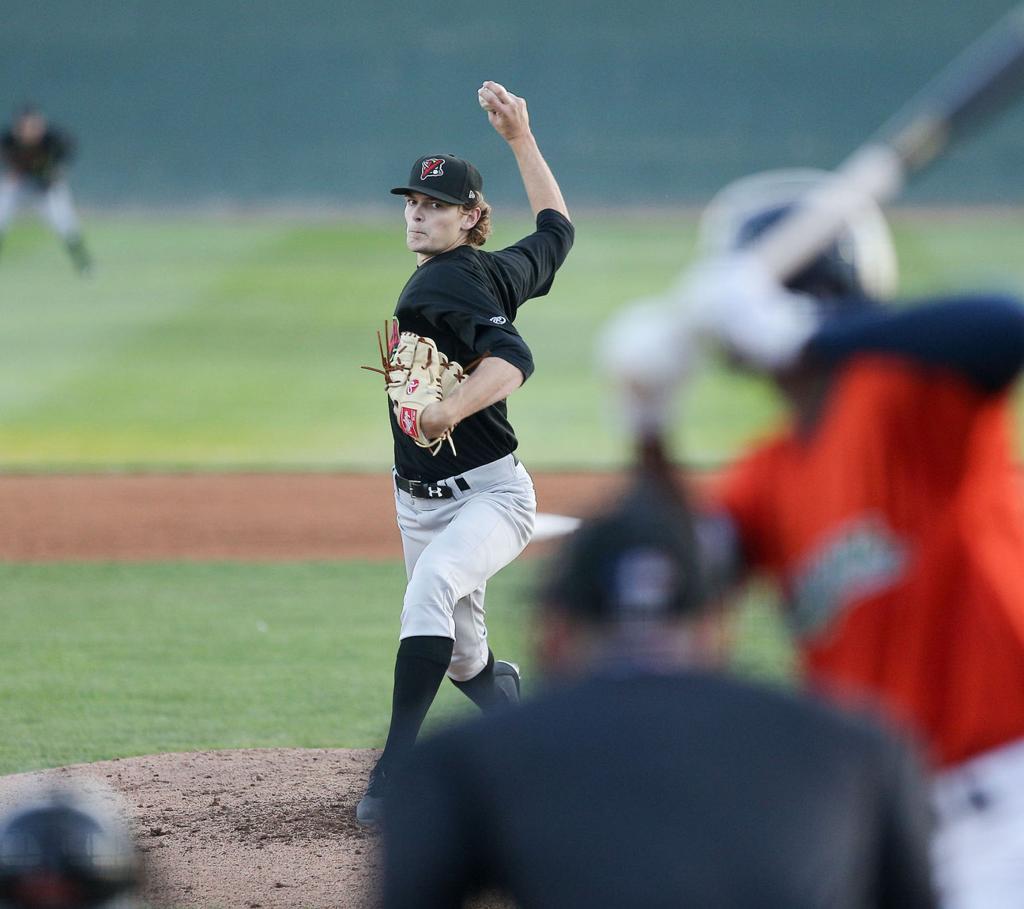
(860,264)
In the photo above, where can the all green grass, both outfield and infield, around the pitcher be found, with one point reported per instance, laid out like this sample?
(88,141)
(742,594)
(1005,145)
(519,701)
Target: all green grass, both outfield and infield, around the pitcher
(236,344)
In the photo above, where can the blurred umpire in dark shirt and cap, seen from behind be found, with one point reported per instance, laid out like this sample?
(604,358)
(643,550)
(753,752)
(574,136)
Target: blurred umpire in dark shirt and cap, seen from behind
(645,775)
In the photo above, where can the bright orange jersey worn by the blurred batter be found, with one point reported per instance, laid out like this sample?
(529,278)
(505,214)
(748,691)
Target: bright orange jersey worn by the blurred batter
(897,529)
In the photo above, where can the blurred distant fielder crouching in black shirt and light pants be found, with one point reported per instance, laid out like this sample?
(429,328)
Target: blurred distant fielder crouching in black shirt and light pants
(35,156)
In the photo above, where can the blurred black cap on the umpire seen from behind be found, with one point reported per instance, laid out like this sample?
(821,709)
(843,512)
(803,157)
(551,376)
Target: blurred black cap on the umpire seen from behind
(637,561)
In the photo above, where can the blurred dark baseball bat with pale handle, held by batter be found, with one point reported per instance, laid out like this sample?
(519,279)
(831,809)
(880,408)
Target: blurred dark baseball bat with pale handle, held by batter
(979,83)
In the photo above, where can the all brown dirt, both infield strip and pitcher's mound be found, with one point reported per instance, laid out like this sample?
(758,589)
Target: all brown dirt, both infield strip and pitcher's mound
(254,830)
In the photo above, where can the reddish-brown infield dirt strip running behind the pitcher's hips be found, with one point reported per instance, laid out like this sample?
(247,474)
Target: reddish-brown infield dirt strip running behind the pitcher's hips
(247,517)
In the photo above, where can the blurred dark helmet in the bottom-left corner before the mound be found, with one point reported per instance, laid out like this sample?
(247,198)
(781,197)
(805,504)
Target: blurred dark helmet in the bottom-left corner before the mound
(66,852)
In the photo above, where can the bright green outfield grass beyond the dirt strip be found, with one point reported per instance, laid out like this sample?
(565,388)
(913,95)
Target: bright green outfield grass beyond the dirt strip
(203,343)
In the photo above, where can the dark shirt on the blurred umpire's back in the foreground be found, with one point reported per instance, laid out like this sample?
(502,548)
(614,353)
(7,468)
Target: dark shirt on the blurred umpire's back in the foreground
(659,791)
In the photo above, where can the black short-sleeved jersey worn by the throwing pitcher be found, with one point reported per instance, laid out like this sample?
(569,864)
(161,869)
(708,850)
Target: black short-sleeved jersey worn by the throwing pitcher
(466,300)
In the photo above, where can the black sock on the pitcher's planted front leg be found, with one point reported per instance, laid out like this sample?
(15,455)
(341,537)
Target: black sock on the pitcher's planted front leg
(419,670)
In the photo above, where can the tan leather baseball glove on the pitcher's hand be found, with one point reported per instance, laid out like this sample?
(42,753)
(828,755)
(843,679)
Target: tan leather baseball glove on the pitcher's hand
(417,375)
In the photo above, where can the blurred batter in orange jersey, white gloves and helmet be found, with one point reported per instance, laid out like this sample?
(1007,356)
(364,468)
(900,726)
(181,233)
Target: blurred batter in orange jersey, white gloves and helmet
(889,509)
